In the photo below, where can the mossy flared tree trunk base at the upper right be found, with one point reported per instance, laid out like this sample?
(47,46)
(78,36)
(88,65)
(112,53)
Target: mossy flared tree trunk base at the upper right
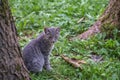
(109,20)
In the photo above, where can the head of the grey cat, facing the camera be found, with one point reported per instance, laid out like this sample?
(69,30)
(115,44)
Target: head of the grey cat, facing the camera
(52,34)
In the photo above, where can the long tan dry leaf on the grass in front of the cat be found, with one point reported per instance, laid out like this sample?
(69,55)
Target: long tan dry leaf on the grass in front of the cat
(75,62)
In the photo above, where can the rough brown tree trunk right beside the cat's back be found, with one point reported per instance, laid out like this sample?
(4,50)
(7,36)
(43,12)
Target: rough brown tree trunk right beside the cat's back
(11,63)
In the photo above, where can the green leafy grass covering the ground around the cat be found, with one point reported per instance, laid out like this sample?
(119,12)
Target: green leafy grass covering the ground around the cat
(33,15)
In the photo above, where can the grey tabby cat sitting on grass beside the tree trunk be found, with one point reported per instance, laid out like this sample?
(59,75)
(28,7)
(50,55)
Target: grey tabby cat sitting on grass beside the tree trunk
(36,53)
